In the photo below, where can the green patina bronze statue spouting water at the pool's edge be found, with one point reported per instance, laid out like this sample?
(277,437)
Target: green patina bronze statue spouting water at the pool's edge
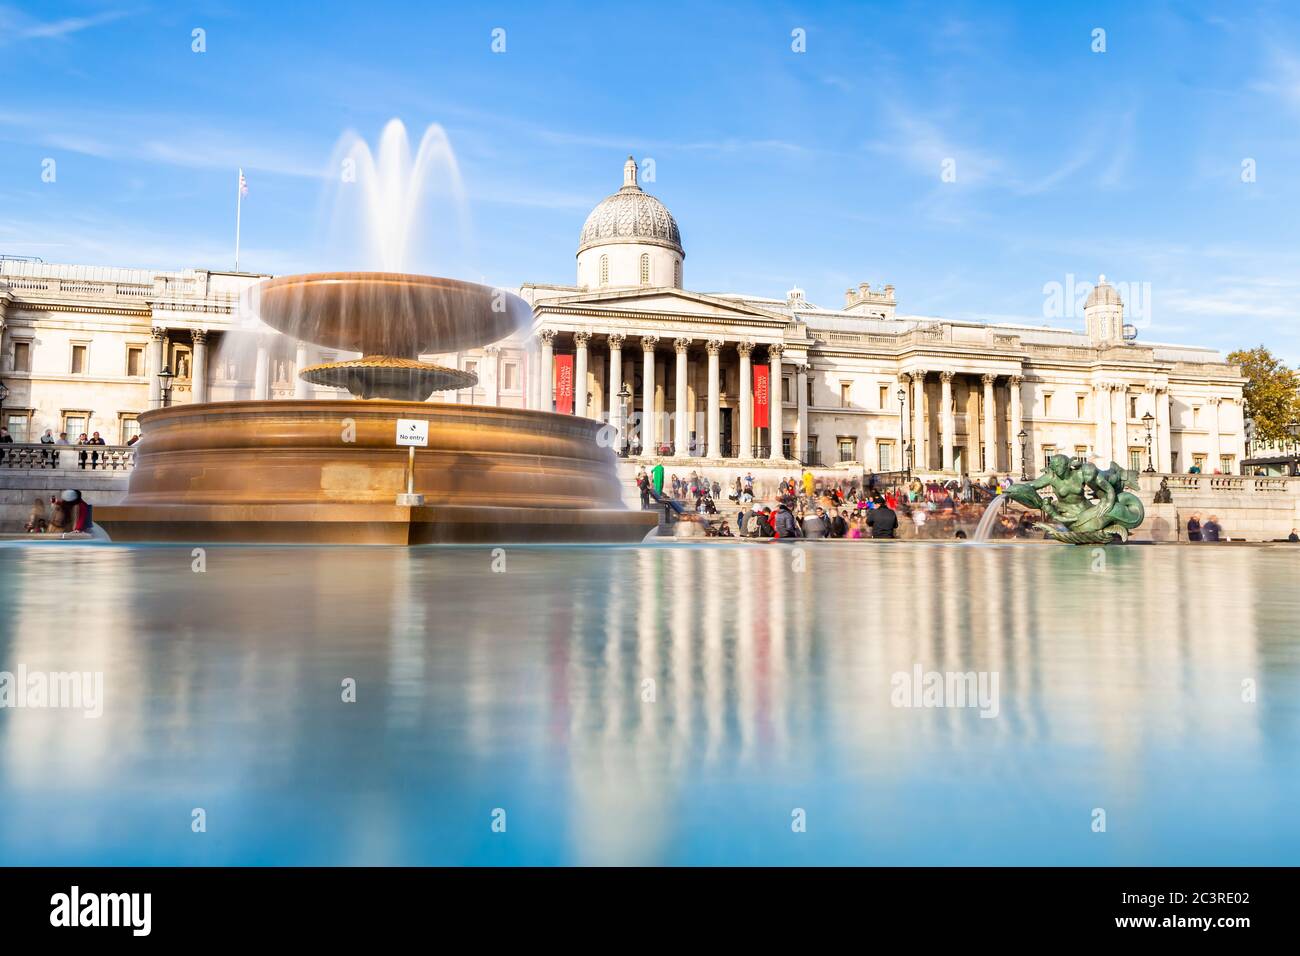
(1071,514)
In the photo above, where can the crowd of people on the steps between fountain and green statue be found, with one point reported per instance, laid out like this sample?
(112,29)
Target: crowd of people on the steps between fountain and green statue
(808,507)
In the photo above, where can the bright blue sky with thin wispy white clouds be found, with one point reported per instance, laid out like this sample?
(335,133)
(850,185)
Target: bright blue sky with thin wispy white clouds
(820,168)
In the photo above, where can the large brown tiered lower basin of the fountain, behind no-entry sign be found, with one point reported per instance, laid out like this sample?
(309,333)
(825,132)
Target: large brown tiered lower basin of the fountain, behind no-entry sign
(330,471)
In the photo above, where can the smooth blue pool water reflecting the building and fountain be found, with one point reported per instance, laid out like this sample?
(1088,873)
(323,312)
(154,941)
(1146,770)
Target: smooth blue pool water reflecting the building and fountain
(528,690)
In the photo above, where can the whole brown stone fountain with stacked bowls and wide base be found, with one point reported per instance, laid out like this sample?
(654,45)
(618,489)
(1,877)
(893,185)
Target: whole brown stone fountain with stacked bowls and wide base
(331,471)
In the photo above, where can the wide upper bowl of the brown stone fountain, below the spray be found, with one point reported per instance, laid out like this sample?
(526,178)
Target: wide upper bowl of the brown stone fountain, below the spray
(389,313)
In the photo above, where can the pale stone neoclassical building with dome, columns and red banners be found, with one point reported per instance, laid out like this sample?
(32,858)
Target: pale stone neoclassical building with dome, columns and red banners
(713,380)
